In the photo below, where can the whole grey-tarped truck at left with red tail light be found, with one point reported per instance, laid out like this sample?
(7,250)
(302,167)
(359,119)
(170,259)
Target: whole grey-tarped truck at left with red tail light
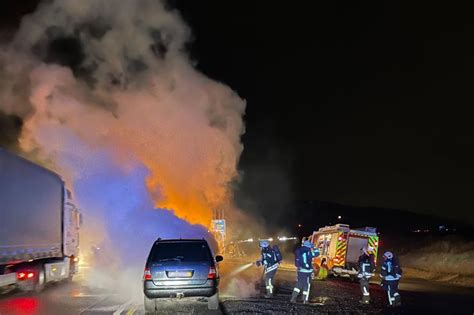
(39,225)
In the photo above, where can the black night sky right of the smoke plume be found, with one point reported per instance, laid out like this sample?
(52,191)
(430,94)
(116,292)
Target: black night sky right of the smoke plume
(366,104)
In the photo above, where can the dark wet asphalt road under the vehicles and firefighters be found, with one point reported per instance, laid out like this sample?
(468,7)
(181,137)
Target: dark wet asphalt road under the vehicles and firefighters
(241,294)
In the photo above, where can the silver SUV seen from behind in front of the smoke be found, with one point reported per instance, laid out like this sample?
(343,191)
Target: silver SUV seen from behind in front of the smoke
(178,268)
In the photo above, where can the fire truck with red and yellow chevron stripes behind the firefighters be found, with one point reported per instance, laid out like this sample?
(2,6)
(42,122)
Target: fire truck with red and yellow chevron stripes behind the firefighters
(341,246)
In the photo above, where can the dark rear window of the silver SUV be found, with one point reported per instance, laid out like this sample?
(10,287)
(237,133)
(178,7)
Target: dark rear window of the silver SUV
(185,251)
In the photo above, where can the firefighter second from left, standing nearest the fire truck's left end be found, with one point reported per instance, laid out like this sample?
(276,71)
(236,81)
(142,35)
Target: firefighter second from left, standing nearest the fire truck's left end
(304,263)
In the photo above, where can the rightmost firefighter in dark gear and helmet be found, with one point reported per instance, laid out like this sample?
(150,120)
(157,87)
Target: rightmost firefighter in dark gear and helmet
(391,273)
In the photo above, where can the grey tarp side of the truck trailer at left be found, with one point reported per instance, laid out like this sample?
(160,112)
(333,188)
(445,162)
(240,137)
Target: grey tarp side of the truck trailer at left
(30,210)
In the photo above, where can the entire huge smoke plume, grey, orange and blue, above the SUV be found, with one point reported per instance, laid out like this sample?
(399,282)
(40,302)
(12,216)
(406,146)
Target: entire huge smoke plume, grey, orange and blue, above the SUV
(109,98)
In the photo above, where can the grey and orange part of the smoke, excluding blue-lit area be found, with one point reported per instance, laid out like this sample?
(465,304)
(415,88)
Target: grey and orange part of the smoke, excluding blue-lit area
(115,73)
